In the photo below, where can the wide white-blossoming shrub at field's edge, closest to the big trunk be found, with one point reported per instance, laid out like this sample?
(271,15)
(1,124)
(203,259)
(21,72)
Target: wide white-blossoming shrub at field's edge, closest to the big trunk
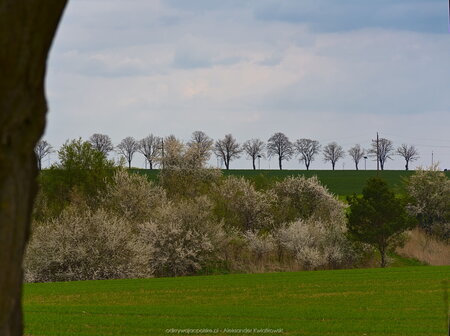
(81,245)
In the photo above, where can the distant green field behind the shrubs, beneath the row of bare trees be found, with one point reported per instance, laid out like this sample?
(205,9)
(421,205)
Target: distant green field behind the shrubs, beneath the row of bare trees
(339,182)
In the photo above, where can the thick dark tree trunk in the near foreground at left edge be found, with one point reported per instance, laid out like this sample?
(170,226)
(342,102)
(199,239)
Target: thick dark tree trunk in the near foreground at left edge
(27,28)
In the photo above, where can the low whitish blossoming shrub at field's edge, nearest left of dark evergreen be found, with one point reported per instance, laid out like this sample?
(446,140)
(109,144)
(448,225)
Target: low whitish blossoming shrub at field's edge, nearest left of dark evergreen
(315,244)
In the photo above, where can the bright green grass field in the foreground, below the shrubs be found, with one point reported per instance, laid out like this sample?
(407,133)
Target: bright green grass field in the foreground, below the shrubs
(394,301)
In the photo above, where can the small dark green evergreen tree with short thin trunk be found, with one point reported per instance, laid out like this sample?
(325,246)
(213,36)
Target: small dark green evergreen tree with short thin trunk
(378,218)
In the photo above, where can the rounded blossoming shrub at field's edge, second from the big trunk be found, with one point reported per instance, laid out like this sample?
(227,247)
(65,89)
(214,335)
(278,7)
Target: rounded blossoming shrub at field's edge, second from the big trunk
(182,238)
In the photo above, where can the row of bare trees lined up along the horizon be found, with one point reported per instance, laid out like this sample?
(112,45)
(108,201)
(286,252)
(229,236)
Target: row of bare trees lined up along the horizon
(167,151)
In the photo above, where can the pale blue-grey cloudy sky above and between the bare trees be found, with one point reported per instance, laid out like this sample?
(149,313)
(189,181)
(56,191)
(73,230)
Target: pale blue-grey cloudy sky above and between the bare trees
(322,69)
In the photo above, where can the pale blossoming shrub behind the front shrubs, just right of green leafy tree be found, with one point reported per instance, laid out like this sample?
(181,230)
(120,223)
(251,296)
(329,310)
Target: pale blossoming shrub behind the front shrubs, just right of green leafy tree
(132,196)
